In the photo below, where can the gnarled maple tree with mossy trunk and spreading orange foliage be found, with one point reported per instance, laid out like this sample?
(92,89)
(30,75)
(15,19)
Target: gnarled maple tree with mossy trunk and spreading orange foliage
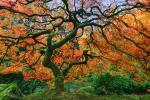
(60,34)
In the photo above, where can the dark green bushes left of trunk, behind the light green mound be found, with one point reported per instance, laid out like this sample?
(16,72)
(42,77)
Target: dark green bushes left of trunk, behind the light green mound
(26,87)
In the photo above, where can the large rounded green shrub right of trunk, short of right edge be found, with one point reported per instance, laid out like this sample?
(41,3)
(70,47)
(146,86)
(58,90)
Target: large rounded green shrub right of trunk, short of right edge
(106,84)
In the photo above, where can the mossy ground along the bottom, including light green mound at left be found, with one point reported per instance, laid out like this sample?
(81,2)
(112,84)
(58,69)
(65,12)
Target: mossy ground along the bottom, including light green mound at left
(50,94)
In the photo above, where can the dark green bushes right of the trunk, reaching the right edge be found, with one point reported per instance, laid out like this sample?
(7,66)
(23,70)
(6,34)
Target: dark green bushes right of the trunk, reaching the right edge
(105,84)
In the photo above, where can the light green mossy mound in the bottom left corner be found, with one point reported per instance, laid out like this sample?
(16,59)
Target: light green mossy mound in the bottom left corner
(10,92)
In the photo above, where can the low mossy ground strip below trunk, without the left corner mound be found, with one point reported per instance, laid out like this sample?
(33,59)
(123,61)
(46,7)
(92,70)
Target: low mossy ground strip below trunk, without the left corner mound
(49,95)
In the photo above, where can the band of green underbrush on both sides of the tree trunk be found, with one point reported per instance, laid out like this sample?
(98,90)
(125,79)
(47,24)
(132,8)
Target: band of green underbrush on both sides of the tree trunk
(93,84)
